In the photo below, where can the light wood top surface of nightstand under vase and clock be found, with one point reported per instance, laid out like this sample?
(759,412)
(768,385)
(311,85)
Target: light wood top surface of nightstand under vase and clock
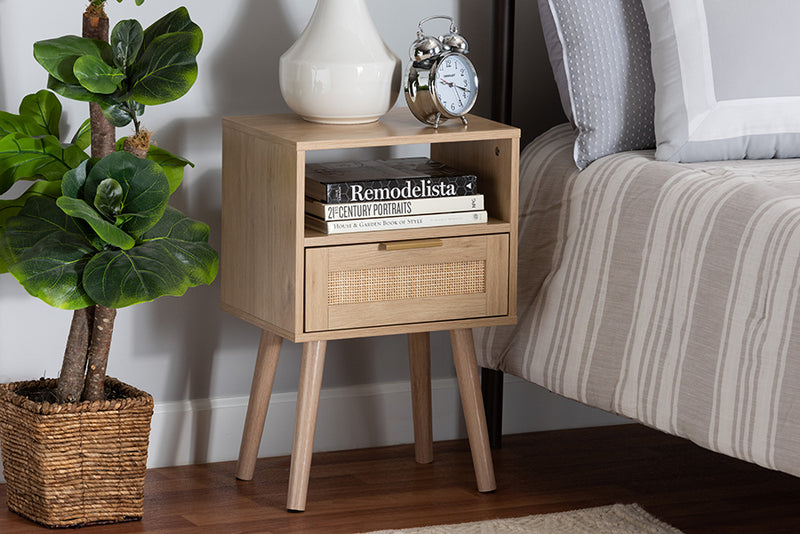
(395,128)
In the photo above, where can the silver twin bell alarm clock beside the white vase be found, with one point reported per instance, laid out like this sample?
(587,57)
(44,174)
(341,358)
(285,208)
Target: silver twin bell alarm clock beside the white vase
(441,82)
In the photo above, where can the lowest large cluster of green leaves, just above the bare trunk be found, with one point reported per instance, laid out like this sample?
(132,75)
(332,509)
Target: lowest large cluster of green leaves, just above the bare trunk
(119,243)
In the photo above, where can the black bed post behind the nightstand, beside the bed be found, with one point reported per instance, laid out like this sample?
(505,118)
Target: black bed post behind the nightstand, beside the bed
(503,65)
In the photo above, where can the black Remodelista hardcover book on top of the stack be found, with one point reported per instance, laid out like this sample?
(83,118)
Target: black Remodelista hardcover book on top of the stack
(382,180)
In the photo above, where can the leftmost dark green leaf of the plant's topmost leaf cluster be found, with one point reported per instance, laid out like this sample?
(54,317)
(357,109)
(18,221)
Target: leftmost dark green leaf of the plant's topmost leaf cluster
(58,56)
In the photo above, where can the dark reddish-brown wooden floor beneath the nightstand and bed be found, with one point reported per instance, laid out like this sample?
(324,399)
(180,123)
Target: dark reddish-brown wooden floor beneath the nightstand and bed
(355,491)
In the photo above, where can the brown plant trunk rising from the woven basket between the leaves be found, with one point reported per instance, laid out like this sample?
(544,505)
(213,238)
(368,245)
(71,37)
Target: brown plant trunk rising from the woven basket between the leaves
(81,345)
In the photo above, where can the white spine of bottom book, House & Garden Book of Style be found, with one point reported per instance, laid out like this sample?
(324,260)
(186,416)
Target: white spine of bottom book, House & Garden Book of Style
(396,223)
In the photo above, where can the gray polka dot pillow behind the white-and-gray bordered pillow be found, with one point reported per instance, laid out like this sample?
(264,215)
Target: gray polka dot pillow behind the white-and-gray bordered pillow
(600,54)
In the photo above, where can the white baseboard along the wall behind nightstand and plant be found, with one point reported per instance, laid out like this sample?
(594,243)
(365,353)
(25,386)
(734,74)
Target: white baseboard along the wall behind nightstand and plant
(209,430)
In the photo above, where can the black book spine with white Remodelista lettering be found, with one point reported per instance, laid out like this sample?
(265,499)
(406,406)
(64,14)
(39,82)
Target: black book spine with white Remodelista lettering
(392,189)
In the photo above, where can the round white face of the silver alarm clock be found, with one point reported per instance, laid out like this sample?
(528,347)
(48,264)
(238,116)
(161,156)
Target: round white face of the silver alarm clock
(456,85)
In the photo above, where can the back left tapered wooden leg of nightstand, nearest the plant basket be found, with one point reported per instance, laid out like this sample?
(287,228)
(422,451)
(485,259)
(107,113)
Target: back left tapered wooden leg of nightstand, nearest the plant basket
(269,349)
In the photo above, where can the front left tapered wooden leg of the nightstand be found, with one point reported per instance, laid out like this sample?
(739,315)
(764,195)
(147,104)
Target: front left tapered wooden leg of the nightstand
(305,424)
